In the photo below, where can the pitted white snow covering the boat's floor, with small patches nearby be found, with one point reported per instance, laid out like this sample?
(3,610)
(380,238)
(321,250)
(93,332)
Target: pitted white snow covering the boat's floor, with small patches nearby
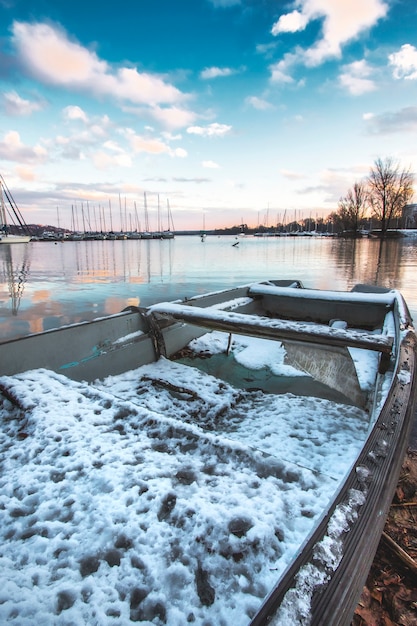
(163,495)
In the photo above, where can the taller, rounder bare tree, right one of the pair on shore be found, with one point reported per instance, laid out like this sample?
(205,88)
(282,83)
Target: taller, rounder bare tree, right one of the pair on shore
(390,189)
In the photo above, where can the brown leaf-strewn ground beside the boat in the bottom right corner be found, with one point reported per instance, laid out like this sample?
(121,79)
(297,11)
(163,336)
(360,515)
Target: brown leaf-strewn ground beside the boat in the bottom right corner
(390,595)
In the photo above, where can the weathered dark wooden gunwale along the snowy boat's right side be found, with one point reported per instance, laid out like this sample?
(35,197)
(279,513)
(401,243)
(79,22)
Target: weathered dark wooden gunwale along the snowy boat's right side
(334,602)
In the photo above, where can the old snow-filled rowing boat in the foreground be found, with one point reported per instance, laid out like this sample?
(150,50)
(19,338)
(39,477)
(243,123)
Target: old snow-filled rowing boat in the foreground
(238,456)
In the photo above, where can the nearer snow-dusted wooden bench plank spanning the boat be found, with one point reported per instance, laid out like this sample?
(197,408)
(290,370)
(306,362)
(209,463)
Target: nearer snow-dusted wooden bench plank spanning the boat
(267,328)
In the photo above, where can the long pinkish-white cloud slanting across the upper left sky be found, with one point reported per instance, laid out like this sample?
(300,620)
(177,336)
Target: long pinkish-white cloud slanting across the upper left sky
(49,55)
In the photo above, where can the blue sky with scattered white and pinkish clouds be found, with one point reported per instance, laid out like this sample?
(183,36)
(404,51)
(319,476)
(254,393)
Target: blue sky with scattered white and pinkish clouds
(228,110)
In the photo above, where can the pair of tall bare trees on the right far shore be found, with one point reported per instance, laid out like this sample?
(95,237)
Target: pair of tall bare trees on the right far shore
(381,196)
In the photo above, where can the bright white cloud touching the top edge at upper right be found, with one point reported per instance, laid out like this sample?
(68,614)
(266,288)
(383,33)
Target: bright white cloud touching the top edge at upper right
(343,20)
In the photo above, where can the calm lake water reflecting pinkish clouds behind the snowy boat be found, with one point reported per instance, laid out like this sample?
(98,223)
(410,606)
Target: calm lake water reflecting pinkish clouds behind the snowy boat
(45,285)
